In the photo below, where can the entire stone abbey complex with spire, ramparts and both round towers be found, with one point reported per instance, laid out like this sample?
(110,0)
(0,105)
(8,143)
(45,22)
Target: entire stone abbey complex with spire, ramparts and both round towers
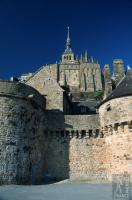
(69,120)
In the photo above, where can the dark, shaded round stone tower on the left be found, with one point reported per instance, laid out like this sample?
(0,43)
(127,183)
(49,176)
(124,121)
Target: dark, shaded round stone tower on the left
(21,111)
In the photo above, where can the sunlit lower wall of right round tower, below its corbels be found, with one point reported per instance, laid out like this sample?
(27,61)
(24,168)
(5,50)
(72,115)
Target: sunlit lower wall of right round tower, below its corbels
(119,151)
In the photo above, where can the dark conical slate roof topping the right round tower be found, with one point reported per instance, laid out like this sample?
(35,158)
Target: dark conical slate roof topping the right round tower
(124,88)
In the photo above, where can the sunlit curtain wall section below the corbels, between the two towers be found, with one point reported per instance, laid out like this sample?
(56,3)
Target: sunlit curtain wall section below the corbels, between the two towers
(87,159)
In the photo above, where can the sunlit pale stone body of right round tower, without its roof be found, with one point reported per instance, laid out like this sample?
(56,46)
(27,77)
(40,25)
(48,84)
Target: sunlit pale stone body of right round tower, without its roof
(116,125)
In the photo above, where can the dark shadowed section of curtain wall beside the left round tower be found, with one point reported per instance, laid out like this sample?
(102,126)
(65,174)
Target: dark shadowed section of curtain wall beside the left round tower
(57,148)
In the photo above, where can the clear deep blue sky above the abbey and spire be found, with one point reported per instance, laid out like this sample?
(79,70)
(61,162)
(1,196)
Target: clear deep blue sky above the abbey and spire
(33,32)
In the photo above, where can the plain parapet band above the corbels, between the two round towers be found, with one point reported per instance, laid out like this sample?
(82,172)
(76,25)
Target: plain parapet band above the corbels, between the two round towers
(59,122)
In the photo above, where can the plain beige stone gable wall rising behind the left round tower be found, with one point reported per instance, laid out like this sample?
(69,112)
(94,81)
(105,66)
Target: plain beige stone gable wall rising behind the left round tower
(43,82)
